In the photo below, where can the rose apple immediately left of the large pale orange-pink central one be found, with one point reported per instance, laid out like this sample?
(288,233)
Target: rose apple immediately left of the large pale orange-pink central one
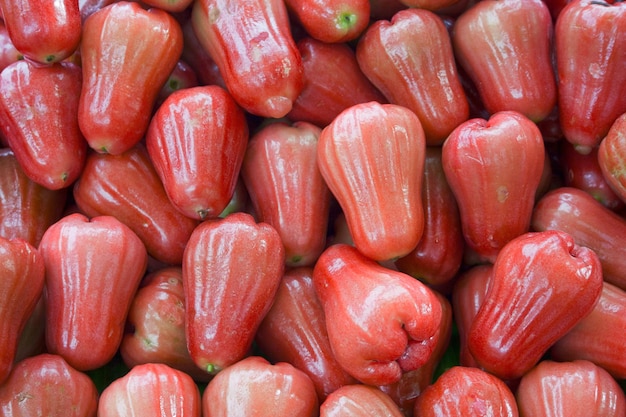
(286,187)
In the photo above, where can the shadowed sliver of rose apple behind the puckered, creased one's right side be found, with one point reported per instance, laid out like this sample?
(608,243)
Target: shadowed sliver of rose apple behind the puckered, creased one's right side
(405,392)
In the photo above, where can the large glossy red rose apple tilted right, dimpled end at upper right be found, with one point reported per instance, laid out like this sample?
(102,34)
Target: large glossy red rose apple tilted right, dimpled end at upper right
(541,286)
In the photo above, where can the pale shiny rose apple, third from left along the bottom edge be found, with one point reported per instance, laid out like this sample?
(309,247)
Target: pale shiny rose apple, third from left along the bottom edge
(253,387)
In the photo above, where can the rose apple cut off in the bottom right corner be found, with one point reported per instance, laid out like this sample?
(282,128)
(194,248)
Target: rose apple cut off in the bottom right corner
(577,388)
